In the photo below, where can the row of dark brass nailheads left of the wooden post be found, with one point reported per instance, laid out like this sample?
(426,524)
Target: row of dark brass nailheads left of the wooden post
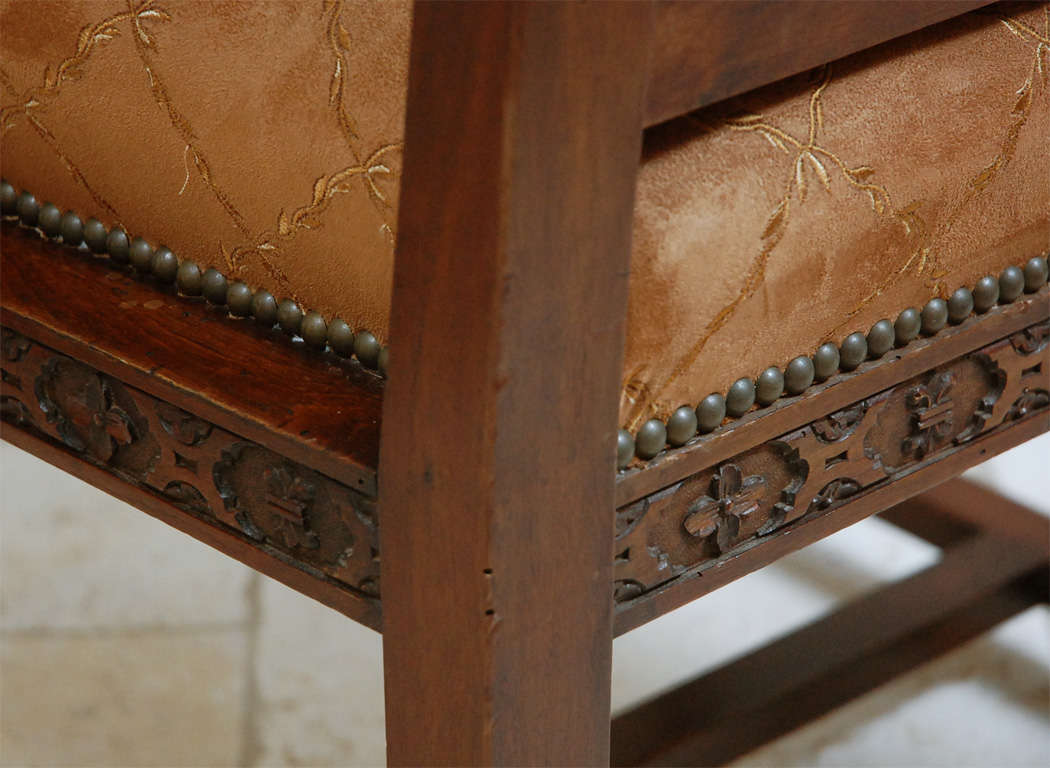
(127,253)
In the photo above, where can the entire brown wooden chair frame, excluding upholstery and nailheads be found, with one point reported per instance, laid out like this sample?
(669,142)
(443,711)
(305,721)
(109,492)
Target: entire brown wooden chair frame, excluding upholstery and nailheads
(505,529)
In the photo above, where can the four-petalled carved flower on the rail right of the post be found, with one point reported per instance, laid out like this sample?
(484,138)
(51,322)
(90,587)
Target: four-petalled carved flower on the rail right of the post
(732,499)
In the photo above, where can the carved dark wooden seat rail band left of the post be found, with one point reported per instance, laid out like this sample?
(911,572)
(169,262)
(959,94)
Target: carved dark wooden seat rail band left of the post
(232,492)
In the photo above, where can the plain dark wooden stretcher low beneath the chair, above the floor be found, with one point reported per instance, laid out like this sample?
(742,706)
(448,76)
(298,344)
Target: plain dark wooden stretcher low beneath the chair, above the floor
(991,574)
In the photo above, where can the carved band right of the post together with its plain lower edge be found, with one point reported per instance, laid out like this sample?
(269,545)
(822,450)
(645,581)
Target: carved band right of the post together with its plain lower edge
(729,520)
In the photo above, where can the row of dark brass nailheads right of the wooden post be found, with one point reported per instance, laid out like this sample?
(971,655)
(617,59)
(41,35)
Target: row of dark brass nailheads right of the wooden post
(655,437)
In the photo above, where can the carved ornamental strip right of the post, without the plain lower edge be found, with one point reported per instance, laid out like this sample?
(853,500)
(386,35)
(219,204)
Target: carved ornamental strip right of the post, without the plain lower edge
(692,526)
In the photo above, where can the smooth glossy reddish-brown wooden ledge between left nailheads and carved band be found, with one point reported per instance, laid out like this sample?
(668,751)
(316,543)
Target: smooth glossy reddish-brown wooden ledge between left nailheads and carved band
(317,409)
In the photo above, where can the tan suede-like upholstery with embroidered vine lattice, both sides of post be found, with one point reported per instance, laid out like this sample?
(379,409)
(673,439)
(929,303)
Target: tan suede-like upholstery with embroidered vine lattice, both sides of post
(264,139)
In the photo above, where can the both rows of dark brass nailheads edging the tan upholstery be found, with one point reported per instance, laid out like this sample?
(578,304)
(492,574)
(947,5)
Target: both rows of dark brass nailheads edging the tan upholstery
(653,439)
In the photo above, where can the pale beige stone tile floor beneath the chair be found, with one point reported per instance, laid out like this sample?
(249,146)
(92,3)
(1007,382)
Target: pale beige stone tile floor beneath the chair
(127,644)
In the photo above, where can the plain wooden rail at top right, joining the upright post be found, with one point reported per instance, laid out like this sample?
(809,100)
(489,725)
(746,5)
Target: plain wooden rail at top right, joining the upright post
(710,50)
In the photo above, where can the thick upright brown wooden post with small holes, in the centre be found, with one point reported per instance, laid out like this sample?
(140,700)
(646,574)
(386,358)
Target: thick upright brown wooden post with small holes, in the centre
(500,418)
